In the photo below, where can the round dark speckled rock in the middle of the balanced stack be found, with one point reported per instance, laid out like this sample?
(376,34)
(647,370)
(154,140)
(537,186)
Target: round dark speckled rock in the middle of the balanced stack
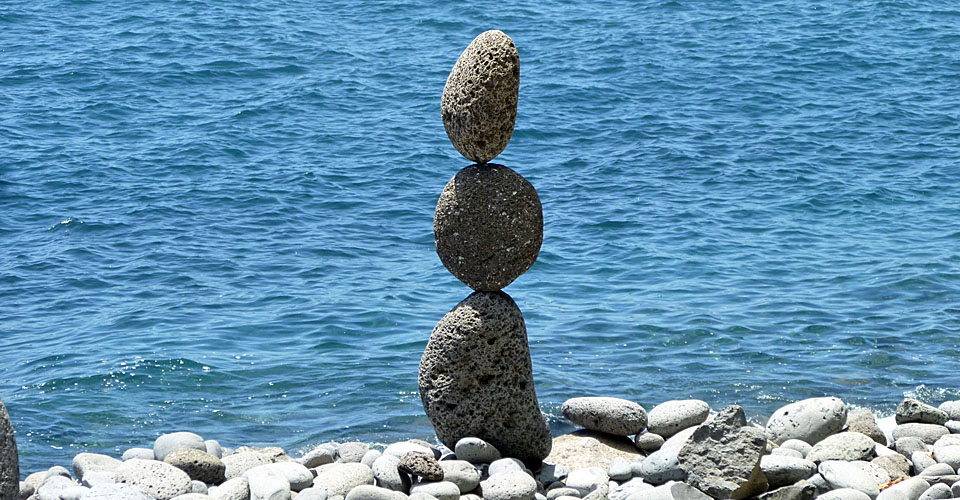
(488,226)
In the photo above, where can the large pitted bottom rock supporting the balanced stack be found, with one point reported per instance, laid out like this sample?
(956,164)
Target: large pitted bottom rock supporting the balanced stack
(476,379)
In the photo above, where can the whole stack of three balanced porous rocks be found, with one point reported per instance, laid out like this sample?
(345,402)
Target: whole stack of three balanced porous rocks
(476,376)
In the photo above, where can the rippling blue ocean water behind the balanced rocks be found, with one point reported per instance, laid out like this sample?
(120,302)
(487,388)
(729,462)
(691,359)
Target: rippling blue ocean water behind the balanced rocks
(217,216)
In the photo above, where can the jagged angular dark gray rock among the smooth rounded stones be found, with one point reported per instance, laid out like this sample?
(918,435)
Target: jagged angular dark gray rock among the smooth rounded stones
(722,458)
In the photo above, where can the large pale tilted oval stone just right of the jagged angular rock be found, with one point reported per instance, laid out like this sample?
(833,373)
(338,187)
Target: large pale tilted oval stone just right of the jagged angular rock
(809,420)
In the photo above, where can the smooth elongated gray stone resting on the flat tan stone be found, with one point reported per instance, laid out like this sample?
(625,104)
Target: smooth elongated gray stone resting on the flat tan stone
(615,416)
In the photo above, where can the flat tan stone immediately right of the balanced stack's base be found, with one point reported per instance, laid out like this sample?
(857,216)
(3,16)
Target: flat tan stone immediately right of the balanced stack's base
(582,449)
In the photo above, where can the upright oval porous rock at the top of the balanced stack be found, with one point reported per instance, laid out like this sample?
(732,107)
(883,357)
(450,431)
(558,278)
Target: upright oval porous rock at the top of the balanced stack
(479,104)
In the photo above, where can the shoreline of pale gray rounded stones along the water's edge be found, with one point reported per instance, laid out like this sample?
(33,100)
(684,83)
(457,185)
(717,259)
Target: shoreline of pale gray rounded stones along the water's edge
(680,450)
